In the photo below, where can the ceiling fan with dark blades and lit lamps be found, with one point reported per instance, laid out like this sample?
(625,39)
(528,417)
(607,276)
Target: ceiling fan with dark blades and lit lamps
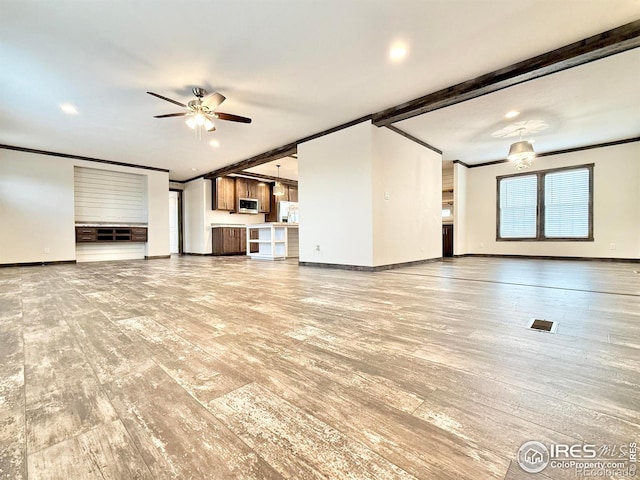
(200,112)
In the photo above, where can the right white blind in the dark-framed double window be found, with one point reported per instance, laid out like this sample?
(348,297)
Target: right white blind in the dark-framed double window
(566,204)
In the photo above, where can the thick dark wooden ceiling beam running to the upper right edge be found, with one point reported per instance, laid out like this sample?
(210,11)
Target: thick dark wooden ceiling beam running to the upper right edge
(617,40)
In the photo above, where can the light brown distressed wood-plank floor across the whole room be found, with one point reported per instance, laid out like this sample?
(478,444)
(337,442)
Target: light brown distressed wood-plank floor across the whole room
(217,368)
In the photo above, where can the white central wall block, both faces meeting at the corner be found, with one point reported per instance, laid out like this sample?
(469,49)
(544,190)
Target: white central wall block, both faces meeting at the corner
(343,210)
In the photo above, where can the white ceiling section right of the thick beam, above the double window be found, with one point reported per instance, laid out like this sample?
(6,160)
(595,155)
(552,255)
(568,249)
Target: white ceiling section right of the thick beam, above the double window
(594,103)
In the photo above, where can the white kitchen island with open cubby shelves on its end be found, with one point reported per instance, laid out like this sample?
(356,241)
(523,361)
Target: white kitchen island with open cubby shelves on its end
(275,240)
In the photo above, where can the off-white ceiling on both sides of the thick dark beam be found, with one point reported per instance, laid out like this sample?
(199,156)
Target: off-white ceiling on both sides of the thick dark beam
(296,67)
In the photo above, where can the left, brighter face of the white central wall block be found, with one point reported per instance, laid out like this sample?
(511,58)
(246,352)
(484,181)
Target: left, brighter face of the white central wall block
(336,196)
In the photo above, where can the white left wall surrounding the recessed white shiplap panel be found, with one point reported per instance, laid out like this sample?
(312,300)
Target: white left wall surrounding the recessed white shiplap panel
(37,208)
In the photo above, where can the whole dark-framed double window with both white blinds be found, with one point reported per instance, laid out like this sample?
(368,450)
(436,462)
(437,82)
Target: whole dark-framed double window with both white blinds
(546,205)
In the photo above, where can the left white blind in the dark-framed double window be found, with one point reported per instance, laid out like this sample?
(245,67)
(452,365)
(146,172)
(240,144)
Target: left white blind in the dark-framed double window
(518,206)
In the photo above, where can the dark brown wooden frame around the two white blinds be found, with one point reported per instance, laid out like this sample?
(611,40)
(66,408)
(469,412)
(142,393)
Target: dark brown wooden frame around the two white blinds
(540,210)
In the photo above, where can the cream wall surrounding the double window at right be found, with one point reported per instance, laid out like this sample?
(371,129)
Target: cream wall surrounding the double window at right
(616,212)
